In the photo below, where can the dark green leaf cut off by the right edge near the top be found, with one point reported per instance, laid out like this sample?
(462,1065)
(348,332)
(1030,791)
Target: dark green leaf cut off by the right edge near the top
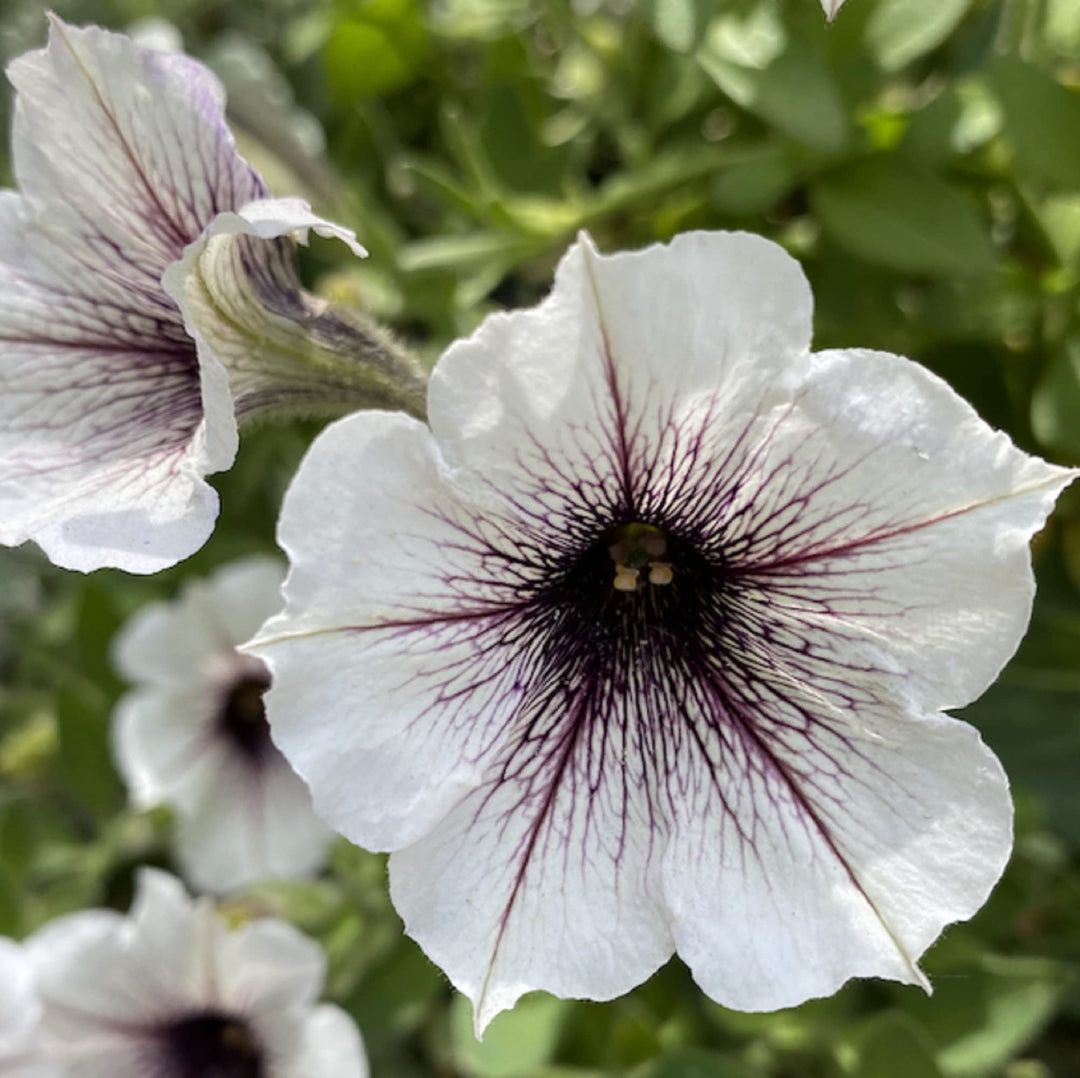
(1042,122)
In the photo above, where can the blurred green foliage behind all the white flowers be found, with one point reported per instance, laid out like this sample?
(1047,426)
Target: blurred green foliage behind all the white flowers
(922,158)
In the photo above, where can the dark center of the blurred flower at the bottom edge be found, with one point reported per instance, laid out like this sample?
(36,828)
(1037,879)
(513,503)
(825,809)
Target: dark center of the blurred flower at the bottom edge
(211,1045)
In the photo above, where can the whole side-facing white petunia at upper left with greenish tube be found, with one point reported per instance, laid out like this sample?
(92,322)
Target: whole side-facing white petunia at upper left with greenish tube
(148,301)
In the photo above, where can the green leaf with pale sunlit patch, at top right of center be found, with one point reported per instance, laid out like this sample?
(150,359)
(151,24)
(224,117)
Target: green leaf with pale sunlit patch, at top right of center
(787,84)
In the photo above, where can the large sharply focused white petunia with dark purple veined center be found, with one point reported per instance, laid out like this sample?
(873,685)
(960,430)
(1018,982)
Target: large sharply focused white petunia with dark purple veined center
(644,646)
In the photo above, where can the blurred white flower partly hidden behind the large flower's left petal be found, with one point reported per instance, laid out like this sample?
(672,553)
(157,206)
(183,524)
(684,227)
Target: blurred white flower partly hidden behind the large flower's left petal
(194,734)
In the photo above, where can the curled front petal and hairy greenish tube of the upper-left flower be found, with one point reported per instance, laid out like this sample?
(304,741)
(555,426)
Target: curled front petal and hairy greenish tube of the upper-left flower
(286,351)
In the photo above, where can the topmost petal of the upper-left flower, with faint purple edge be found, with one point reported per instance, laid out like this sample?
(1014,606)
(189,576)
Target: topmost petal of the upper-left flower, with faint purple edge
(133,141)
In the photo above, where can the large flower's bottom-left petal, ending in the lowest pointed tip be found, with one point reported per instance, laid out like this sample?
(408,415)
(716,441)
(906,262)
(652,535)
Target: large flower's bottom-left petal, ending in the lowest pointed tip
(547,877)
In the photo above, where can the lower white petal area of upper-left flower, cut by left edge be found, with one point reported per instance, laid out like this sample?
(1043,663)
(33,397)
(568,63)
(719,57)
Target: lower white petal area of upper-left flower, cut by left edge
(103,443)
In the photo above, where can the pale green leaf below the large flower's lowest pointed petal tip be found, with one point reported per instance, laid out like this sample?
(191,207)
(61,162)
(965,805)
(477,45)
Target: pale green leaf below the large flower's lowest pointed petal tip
(515,1045)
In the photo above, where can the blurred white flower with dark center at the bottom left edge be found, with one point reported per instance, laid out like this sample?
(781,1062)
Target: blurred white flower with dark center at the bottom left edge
(171,992)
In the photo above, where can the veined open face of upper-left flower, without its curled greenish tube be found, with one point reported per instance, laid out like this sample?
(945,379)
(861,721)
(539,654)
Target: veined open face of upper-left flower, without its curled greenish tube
(124,159)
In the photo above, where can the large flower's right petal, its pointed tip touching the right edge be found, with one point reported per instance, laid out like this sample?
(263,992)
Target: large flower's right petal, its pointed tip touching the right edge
(885,520)
